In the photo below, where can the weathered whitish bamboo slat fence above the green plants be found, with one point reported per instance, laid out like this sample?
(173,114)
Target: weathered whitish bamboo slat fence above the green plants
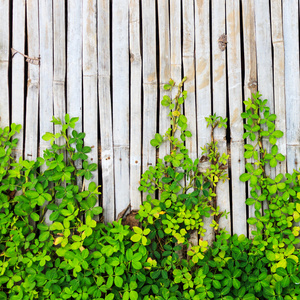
(107,61)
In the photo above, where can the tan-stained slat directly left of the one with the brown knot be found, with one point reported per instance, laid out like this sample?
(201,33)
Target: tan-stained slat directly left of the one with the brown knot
(203,89)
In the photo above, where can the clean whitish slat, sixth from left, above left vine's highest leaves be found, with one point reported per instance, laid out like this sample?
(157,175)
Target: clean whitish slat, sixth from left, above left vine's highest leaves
(74,68)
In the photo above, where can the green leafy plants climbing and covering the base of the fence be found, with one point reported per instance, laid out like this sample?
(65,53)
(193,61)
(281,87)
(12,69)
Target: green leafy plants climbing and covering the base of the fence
(76,257)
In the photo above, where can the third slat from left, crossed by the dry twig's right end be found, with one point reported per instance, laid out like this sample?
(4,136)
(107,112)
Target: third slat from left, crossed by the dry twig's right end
(33,82)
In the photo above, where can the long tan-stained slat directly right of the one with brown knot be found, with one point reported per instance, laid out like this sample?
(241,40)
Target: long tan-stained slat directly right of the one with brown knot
(238,196)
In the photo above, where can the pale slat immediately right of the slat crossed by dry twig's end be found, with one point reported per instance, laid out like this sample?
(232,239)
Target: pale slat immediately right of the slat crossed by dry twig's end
(46,76)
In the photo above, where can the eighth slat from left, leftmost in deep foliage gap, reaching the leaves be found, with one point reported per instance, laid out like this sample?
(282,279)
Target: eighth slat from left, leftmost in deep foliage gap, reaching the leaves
(105,110)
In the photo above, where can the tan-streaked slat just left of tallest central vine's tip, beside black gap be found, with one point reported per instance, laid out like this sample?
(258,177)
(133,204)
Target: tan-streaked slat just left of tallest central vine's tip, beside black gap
(164,70)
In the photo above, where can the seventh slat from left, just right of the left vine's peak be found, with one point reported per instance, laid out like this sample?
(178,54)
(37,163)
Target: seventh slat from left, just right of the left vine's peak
(89,63)
